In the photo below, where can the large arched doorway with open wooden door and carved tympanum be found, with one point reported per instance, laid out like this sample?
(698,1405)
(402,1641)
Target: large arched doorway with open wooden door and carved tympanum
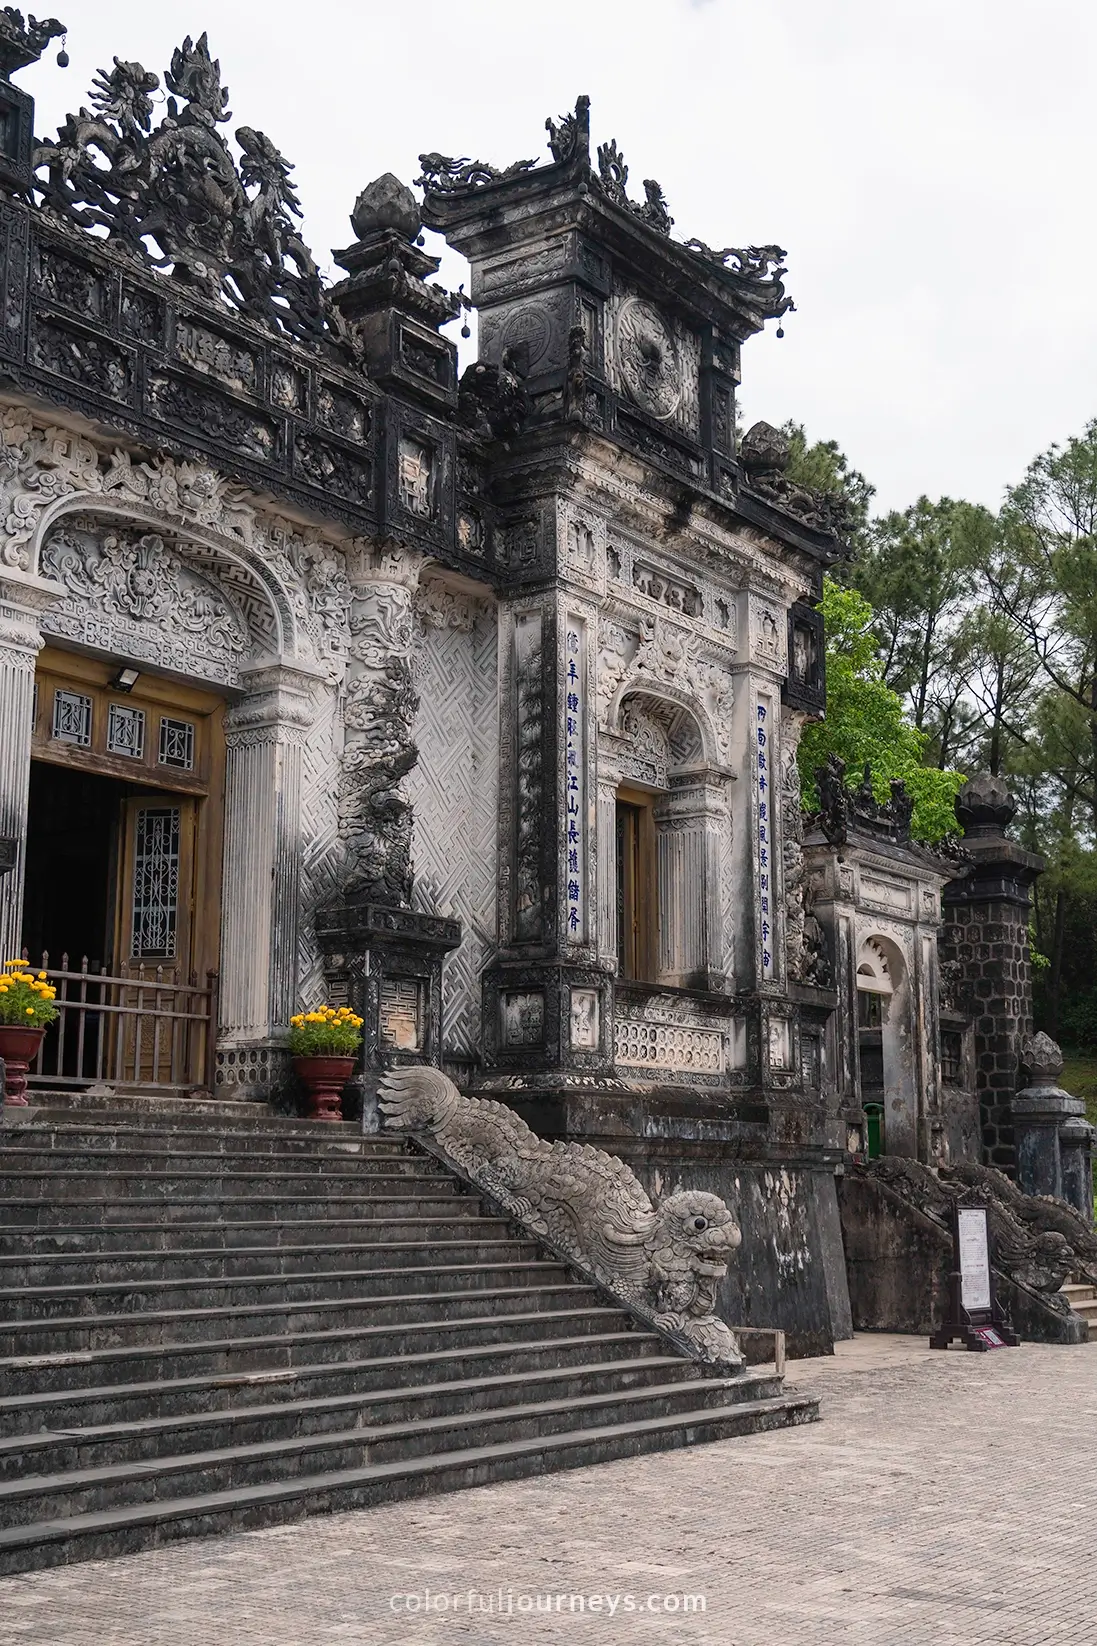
(167,720)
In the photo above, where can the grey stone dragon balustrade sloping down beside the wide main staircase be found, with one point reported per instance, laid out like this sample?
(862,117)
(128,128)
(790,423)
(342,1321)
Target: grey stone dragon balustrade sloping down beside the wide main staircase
(665,1260)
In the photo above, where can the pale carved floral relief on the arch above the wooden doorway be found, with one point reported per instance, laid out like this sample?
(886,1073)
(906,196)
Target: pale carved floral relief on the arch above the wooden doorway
(49,475)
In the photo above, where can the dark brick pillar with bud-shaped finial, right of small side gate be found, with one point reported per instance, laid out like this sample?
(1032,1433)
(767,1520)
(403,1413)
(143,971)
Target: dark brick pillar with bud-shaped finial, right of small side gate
(987,934)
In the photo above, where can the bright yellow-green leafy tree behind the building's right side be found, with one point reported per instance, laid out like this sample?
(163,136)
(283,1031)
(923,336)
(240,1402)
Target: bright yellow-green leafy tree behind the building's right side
(867,725)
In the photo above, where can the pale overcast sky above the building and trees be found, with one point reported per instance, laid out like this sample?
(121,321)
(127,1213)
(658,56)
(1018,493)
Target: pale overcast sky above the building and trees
(927,164)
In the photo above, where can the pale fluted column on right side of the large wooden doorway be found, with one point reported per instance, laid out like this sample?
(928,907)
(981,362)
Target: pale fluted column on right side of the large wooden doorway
(264,738)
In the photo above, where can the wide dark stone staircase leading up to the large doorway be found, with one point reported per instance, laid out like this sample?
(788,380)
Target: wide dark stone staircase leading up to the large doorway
(215,1319)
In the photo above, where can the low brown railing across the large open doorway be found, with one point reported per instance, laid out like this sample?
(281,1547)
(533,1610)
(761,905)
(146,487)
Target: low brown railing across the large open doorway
(136,1028)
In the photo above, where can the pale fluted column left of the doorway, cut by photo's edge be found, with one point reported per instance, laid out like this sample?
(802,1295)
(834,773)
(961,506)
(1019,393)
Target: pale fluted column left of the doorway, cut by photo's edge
(22,602)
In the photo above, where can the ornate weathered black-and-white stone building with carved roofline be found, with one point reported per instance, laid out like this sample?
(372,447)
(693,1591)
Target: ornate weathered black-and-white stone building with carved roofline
(475,704)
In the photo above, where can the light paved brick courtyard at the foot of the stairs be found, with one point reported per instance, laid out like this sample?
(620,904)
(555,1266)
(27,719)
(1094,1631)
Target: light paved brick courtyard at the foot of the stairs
(945,1499)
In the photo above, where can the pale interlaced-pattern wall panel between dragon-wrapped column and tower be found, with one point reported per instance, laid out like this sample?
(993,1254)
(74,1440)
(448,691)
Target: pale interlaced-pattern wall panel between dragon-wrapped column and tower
(455,794)
